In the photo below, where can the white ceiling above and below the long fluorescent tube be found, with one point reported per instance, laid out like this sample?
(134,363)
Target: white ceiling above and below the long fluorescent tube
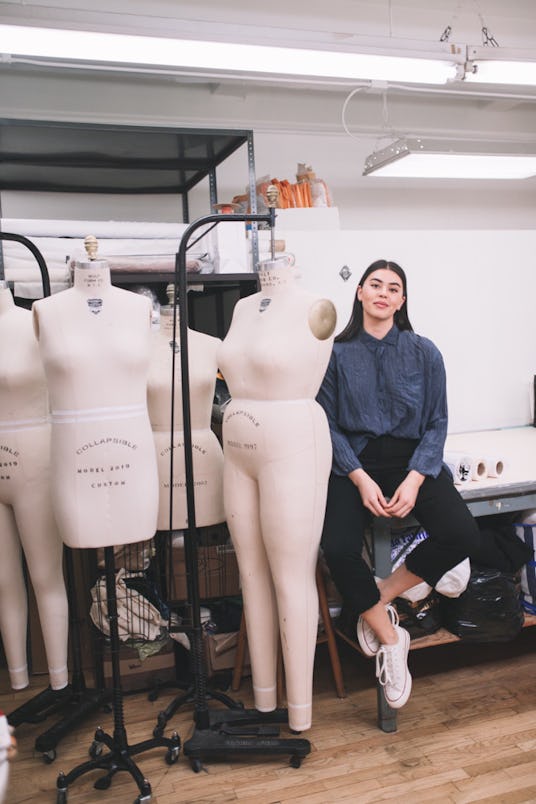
(455,110)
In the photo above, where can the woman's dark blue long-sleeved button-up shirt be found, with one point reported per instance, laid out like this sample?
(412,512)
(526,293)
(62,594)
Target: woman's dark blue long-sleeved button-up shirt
(394,386)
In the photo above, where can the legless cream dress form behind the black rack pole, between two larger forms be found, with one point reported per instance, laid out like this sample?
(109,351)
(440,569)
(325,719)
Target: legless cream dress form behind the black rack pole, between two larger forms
(207,452)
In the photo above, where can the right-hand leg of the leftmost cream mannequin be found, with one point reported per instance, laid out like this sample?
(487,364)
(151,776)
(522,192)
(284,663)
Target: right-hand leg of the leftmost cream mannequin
(43,550)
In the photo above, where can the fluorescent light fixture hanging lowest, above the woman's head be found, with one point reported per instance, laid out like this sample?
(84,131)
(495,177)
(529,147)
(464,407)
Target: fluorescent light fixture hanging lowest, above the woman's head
(444,159)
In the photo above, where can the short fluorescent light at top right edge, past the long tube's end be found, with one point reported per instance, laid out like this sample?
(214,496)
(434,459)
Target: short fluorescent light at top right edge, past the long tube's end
(497,65)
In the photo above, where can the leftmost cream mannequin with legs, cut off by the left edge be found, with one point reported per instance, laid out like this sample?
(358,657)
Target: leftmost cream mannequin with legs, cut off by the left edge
(26,519)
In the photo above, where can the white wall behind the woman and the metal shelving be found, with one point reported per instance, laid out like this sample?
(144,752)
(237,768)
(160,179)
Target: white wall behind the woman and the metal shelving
(468,247)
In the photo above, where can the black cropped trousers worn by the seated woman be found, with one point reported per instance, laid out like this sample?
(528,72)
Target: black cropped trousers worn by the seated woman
(453,534)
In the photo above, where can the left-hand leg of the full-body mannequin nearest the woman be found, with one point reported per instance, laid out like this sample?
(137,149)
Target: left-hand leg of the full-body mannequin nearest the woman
(260,608)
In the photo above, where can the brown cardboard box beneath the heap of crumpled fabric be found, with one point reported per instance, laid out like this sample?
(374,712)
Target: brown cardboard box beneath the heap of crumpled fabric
(138,674)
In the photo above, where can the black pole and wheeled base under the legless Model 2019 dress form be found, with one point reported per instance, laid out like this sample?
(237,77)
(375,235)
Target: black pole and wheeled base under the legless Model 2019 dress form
(119,756)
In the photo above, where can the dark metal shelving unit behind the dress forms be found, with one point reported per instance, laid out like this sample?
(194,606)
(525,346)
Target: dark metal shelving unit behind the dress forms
(54,156)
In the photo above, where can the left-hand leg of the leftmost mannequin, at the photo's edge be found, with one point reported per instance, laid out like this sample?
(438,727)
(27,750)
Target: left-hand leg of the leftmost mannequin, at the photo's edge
(13,601)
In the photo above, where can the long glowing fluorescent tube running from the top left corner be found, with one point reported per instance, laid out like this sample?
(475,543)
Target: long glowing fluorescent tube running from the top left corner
(191,57)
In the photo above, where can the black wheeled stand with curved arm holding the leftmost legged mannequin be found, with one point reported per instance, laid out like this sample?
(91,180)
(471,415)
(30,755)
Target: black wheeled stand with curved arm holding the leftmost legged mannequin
(75,701)
